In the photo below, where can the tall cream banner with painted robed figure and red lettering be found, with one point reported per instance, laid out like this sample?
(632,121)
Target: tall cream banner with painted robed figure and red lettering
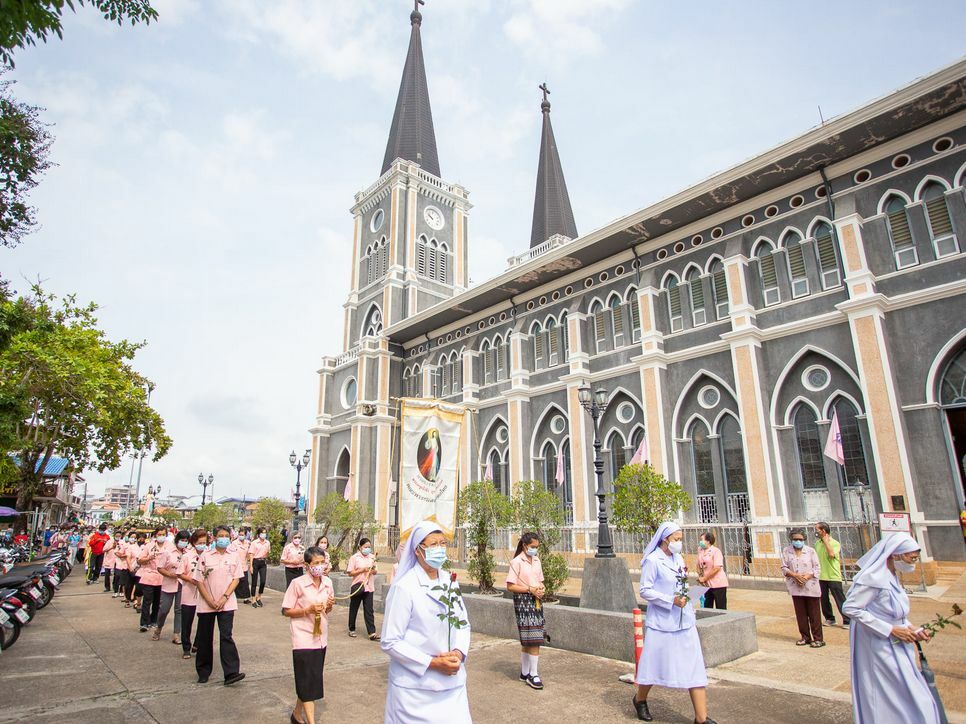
(429,463)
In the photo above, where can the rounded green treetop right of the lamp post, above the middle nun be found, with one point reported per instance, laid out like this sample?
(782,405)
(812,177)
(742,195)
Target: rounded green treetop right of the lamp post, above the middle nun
(643,499)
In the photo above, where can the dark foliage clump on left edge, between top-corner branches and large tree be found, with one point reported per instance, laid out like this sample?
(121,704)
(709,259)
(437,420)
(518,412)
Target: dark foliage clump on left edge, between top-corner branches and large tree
(24,147)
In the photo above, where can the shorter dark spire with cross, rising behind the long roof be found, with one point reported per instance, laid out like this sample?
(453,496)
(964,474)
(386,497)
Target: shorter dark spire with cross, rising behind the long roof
(552,213)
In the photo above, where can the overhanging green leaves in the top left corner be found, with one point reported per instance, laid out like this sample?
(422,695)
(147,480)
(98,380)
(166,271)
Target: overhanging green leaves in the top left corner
(24,22)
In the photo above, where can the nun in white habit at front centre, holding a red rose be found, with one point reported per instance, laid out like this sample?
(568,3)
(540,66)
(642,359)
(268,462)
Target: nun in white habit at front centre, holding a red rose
(427,677)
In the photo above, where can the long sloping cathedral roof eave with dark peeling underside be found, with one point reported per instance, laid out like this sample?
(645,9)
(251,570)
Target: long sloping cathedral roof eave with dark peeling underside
(925,101)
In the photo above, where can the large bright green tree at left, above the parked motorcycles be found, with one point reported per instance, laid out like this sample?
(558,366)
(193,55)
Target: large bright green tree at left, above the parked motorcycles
(82,397)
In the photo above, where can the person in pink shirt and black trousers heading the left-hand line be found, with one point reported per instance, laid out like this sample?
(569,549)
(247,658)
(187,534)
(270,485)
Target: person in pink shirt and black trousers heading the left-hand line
(217,577)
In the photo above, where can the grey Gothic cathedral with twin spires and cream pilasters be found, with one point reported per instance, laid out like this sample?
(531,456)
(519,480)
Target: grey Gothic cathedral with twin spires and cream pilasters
(731,327)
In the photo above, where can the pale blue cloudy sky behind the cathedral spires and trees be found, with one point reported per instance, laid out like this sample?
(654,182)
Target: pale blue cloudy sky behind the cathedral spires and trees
(206,163)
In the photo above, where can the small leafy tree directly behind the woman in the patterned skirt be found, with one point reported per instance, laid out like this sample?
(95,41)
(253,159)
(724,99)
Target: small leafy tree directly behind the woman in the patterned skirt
(537,510)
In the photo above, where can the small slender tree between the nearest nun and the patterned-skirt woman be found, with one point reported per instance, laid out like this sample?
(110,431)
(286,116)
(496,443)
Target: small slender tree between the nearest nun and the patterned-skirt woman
(483,509)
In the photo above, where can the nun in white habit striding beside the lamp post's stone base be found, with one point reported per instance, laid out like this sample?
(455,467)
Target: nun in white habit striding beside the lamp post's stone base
(672,651)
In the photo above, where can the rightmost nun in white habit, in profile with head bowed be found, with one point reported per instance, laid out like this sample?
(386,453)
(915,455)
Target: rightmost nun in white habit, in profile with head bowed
(887,686)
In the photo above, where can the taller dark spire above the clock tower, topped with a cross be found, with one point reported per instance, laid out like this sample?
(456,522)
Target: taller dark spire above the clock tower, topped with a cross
(412,136)
